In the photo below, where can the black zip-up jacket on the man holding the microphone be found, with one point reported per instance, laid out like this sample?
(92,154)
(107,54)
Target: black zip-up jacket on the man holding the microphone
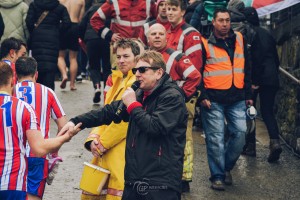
(156,135)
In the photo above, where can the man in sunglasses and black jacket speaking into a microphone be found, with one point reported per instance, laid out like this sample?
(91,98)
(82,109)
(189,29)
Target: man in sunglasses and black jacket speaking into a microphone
(155,139)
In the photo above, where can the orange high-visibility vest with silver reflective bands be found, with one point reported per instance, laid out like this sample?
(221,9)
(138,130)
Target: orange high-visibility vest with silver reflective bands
(219,73)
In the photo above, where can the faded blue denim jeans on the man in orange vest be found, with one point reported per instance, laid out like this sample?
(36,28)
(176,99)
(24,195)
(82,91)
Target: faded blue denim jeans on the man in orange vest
(222,155)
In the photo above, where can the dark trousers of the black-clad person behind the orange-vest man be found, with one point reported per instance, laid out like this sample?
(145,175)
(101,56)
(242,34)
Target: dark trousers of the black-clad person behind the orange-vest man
(267,99)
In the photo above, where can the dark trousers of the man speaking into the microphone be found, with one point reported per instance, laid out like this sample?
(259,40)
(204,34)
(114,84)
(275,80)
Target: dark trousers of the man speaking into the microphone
(137,193)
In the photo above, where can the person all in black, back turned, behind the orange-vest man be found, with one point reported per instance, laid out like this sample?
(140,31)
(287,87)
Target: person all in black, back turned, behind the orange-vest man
(265,82)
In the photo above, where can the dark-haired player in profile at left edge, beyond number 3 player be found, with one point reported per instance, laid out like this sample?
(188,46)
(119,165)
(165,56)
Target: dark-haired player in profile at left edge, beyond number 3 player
(10,50)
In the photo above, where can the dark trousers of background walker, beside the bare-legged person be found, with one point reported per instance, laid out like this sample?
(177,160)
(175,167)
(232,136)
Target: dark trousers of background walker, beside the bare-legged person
(99,56)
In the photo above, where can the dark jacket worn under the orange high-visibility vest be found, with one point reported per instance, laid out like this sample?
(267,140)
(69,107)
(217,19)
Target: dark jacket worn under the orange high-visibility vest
(232,94)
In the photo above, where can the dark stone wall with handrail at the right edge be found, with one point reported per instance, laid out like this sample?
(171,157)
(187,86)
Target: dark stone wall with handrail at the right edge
(287,101)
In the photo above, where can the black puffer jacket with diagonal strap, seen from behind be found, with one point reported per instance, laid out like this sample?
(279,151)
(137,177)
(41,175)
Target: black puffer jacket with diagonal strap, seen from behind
(45,38)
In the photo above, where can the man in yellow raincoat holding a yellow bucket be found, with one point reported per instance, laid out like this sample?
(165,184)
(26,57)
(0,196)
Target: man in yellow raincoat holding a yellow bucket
(110,139)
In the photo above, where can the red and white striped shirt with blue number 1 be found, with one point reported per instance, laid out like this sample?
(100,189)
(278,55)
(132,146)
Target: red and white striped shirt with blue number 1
(16,117)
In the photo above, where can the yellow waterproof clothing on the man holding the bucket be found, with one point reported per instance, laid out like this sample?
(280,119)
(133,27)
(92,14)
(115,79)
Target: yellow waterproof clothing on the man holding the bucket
(113,138)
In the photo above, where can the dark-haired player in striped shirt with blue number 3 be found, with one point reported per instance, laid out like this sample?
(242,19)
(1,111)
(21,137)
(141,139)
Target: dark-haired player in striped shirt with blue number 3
(46,106)
